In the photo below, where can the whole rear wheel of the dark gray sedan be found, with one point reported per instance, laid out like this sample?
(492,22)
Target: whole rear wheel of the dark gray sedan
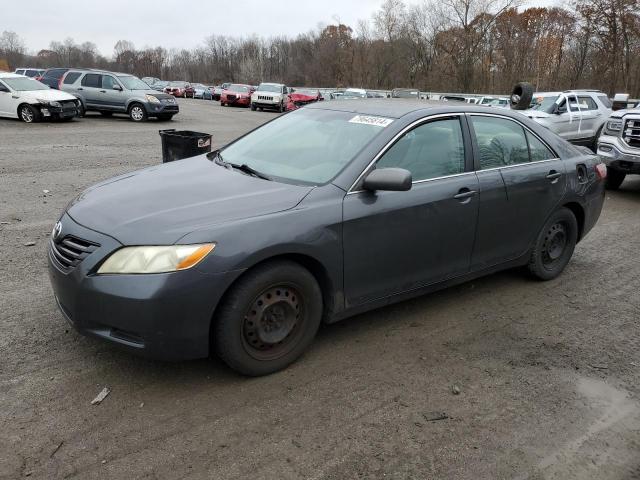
(554,245)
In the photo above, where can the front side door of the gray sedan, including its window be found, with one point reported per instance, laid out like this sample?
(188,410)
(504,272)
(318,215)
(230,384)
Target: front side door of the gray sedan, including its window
(395,242)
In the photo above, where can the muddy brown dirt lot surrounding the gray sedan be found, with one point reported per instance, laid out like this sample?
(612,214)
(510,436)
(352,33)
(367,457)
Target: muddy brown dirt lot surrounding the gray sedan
(549,373)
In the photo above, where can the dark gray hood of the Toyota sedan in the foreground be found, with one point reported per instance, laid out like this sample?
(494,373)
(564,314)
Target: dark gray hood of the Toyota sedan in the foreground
(161,204)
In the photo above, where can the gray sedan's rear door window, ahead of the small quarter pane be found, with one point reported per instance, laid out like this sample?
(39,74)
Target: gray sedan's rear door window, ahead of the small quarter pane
(501,142)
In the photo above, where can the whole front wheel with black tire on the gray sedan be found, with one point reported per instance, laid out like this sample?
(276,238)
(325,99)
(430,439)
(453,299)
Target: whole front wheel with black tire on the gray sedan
(268,318)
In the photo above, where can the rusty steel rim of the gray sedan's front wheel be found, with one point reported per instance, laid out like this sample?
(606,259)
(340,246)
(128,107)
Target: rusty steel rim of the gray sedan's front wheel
(273,323)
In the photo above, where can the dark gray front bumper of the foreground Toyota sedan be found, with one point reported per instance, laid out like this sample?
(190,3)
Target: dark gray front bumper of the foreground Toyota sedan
(162,316)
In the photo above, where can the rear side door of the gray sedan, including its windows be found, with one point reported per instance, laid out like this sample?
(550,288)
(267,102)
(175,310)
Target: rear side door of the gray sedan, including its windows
(521,181)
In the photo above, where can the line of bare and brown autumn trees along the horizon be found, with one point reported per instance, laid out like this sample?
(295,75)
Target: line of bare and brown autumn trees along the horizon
(467,46)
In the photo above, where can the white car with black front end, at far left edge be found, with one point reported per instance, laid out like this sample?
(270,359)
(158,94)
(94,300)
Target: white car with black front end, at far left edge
(31,101)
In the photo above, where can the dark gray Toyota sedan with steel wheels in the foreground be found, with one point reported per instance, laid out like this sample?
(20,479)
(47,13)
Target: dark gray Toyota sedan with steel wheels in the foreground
(320,214)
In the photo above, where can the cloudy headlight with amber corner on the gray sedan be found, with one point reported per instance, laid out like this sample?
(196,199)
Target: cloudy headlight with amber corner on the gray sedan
(132,260)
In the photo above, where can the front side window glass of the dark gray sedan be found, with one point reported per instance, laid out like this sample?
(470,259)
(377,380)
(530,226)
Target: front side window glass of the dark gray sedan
(431,150)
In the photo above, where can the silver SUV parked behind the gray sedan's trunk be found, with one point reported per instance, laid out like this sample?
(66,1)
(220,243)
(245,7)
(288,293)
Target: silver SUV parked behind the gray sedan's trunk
(576,115)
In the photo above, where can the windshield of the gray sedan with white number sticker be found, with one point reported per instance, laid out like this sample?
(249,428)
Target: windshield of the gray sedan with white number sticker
(308,146)
